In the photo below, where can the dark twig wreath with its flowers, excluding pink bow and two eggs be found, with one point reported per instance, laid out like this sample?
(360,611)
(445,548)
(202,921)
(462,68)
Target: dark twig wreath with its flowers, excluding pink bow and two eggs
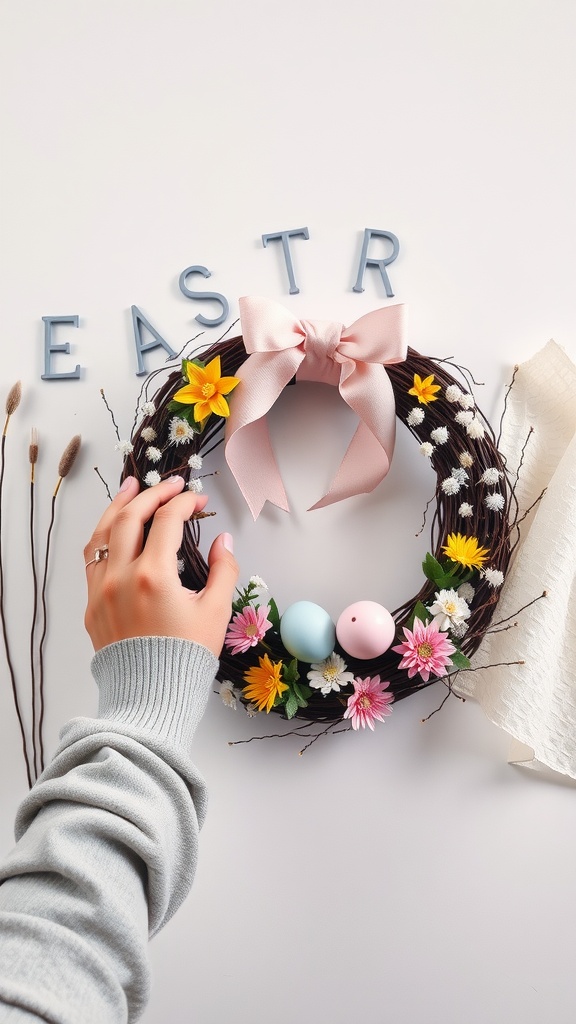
(471,545)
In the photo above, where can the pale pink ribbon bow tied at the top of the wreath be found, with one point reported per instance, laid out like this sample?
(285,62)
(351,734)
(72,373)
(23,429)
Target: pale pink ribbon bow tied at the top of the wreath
(281,347)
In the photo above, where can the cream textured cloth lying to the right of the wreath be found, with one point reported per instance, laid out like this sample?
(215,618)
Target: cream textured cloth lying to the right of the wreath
(536,703)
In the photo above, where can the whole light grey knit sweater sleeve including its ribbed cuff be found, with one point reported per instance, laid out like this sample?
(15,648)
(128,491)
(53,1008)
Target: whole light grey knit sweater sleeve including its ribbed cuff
(107,841)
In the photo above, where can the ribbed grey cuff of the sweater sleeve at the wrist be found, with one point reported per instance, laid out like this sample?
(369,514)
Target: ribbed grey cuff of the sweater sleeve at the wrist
(157,685)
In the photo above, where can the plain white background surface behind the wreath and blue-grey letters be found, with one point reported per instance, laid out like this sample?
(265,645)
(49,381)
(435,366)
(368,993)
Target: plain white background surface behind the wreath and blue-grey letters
(410,876)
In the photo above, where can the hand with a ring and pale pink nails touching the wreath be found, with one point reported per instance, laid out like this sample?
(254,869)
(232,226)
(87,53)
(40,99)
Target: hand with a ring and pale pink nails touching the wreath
(137,591)
